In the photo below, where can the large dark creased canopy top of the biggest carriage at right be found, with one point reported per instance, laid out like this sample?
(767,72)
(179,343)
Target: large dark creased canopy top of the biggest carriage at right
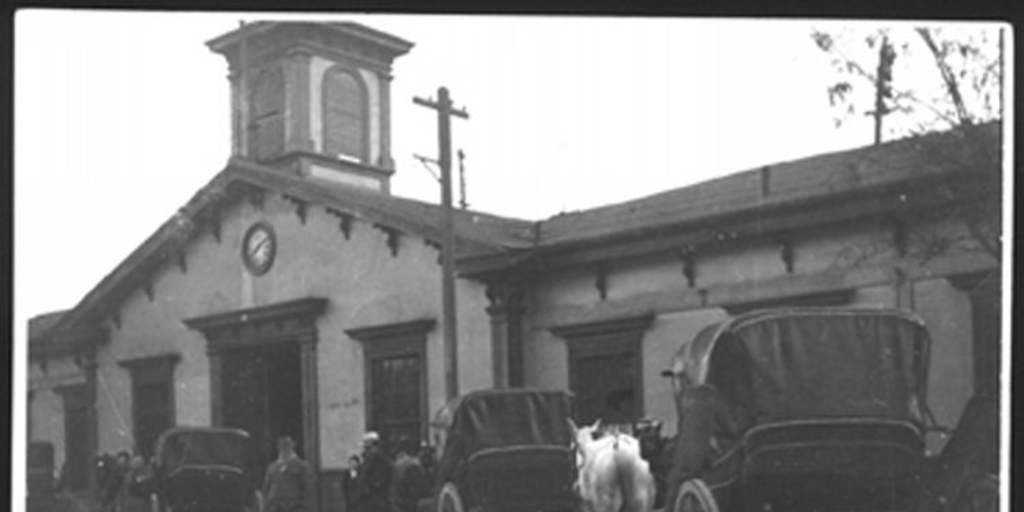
(814,363)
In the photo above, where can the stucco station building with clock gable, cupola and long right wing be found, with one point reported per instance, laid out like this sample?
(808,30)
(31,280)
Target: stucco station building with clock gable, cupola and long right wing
(295,294)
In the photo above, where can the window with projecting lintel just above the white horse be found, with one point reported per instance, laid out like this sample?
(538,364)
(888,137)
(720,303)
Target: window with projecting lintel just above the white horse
(606,363)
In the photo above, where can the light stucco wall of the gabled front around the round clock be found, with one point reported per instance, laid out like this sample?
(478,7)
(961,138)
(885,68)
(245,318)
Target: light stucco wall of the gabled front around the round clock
(365,286)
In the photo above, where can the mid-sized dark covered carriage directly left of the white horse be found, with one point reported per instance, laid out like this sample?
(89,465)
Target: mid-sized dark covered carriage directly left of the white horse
(505,451)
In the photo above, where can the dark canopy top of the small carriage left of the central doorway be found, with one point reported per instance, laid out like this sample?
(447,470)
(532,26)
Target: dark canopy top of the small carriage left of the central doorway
(182,447)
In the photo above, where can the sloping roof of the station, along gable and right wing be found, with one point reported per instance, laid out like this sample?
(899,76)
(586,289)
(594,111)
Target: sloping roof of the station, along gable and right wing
(789,185)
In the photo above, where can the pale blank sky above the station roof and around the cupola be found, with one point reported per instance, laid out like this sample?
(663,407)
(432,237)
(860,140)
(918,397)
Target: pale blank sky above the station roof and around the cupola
(122,117)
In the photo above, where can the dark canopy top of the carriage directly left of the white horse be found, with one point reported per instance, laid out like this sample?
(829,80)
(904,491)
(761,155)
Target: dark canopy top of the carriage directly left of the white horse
(499,418)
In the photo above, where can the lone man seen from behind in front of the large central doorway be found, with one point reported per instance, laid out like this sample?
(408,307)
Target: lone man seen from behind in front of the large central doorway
(289,483)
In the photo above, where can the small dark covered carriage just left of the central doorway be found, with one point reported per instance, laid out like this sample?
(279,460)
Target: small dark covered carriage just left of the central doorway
(204,470)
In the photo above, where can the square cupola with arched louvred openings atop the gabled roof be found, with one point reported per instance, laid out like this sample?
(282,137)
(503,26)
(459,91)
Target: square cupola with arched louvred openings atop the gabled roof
(314,99)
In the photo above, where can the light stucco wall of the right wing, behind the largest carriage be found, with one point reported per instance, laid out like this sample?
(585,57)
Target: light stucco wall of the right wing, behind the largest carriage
(862,258)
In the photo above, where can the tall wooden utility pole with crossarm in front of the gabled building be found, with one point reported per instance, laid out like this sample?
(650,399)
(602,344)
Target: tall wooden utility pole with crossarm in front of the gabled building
(445,113)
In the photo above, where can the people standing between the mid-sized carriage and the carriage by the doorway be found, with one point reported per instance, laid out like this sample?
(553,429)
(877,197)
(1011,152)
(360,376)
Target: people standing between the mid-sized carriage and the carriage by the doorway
(374,482)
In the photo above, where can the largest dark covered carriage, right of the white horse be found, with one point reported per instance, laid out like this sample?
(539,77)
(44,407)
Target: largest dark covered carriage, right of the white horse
(815,409)
